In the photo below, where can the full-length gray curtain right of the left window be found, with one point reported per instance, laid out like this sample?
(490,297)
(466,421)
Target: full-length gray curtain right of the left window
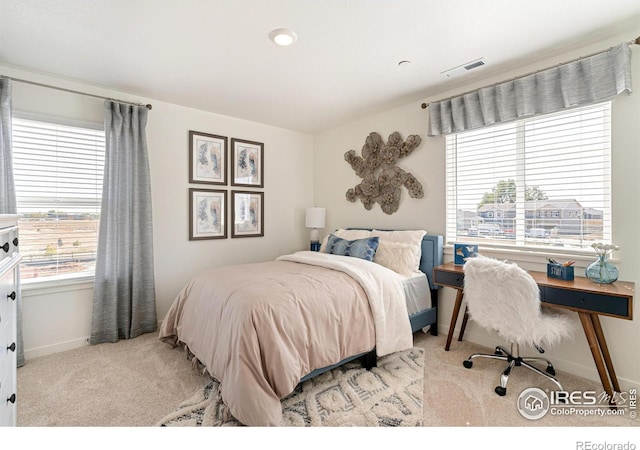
(124,304)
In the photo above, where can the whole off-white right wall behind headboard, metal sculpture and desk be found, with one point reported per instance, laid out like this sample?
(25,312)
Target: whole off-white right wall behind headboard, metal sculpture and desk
(333,176)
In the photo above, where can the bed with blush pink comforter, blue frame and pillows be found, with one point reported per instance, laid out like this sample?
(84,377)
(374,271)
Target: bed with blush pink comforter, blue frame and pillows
(263,328)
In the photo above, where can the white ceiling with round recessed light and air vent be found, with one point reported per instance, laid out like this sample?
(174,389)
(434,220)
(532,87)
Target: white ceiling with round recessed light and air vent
(215,55)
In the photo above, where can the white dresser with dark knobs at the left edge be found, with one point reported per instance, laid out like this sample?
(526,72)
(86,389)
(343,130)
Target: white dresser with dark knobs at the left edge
(9,280)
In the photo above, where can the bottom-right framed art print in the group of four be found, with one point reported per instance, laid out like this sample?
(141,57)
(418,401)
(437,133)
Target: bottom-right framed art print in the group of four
(248,214)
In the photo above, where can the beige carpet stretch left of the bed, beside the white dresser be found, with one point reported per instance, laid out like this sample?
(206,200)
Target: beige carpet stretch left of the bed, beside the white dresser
(130,383)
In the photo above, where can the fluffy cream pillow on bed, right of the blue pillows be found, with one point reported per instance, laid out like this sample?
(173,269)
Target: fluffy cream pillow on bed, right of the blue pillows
(400,250)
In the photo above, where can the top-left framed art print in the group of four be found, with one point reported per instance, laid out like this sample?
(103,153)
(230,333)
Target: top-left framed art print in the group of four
(207,158)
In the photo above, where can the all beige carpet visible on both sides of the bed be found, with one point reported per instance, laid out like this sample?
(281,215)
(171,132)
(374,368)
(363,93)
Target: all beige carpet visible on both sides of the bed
(137,382)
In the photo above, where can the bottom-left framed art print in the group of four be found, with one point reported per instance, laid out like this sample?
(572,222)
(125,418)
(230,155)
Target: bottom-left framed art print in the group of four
(207,214)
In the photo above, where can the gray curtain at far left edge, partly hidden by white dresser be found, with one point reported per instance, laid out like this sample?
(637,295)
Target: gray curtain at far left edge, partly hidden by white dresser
(7,187)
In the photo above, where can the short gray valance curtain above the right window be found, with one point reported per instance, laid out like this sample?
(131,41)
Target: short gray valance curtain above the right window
(589,80)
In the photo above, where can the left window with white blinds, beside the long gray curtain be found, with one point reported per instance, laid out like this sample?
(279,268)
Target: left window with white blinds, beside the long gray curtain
(58,173)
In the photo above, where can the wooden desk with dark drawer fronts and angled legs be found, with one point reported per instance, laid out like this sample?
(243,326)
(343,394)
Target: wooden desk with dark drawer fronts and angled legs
(590,300)
